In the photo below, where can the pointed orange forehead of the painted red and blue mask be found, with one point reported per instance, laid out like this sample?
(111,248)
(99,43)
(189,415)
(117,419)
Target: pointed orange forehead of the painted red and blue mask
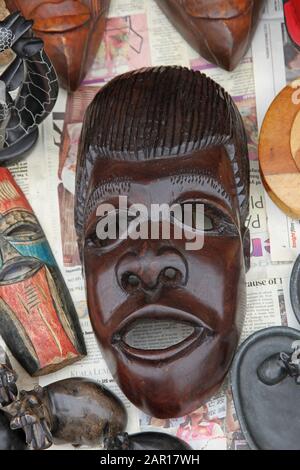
(11,197)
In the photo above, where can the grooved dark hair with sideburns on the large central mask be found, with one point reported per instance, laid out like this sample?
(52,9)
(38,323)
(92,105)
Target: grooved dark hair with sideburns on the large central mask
(157,113)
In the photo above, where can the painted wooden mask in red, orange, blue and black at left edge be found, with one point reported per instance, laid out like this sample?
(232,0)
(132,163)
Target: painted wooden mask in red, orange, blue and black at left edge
(38,321)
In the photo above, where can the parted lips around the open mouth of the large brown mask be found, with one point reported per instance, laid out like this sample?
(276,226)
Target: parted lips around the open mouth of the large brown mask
(201,332)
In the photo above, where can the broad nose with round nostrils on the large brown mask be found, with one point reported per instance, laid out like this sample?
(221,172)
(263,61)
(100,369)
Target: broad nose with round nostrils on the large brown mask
(150,271)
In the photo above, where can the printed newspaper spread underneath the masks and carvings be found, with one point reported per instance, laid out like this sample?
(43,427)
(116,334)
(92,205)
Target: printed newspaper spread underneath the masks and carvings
(139,35)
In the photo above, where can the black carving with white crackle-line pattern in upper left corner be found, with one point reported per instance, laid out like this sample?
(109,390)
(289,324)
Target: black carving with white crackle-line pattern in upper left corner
(33,75)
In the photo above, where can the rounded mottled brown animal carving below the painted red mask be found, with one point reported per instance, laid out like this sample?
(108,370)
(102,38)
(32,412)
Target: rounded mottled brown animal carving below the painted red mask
(75,411)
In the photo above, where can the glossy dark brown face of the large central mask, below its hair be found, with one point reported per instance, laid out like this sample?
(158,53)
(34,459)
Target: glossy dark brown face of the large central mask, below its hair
(133,280)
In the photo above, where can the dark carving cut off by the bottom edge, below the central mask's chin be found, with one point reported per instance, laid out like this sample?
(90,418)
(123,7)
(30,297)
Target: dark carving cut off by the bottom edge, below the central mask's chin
(146,441)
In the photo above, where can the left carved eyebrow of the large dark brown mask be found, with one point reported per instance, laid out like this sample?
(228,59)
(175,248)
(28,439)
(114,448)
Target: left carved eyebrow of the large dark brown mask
(106,189)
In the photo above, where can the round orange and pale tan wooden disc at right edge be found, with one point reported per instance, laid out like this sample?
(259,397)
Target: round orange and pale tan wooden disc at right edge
(279,150)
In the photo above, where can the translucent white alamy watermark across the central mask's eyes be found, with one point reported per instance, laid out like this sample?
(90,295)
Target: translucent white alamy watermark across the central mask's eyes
(162,221)
